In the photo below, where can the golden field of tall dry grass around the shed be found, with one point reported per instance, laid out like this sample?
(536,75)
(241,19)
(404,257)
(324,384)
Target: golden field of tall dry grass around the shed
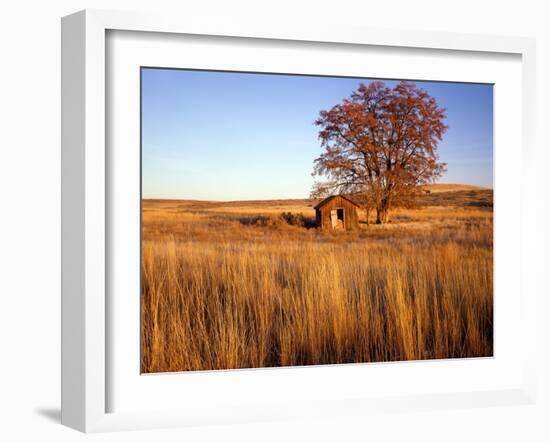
(235,284)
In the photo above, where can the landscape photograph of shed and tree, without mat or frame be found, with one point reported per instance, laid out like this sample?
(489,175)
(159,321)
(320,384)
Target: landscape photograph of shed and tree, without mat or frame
(292,220)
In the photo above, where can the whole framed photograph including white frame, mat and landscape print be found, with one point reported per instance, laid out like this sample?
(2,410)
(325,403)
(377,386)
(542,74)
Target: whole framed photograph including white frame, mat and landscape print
(268,223)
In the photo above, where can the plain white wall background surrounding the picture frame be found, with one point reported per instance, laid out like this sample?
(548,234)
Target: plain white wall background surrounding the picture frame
(30,215)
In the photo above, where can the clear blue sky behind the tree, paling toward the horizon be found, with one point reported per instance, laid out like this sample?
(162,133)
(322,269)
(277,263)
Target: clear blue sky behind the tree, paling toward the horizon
(237,136)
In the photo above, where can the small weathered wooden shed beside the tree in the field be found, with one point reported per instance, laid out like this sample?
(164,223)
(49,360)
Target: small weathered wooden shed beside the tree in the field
(337,212)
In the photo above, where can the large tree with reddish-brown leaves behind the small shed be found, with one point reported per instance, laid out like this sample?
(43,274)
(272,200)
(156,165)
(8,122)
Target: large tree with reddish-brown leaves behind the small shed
(380,144)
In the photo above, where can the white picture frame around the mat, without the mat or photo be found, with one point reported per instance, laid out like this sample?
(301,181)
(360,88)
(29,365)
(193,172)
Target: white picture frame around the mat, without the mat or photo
(86,204)
